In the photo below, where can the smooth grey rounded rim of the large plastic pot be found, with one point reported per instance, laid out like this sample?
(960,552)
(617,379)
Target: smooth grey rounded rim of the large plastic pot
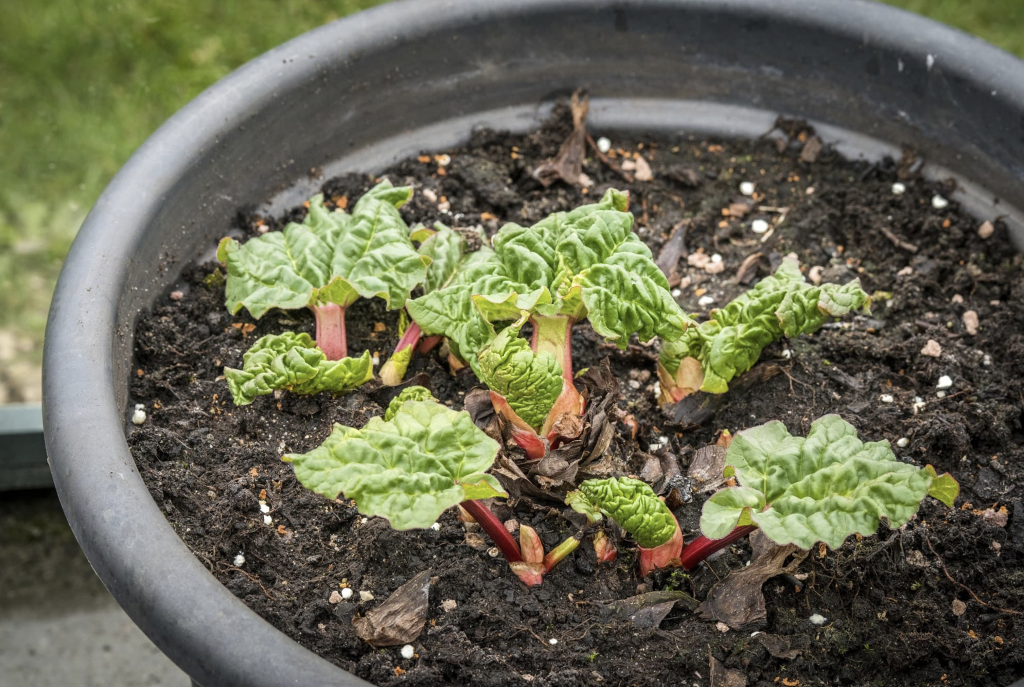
(168,593)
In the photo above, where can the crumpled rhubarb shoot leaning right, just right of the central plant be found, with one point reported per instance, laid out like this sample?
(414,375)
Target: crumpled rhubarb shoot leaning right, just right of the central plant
(709,357)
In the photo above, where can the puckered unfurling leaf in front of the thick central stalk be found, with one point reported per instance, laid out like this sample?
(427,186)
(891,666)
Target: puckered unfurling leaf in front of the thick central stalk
(531,382)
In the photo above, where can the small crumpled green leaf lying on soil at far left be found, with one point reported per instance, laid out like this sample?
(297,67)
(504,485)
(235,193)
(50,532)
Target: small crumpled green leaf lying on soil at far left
(292,362)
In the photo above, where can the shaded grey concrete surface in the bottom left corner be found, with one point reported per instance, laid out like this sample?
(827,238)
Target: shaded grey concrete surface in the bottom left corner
(59,627)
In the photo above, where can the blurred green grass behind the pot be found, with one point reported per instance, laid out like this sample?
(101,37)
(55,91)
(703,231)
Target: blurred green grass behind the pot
(84,82)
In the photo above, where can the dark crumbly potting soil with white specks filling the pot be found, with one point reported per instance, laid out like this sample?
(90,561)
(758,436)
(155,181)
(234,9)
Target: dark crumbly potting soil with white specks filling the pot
(937,603)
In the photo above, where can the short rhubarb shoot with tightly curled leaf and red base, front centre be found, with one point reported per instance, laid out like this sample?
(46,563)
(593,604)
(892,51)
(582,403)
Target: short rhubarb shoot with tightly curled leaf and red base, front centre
(637,509)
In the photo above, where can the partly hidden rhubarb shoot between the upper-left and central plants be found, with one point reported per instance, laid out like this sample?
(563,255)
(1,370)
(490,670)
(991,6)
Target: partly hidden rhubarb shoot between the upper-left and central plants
(451,265)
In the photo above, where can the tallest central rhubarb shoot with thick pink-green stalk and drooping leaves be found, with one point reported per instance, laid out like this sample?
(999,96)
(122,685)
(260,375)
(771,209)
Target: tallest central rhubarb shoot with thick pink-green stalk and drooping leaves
(584,265)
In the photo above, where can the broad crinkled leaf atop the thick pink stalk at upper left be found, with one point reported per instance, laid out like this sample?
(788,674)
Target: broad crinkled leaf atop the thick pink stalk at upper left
(331,257)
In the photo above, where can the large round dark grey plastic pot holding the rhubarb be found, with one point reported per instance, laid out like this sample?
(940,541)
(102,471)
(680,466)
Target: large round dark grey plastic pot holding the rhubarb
(420,75)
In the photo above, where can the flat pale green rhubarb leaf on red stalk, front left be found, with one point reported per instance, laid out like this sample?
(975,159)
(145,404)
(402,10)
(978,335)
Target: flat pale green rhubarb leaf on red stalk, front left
(409,469)
